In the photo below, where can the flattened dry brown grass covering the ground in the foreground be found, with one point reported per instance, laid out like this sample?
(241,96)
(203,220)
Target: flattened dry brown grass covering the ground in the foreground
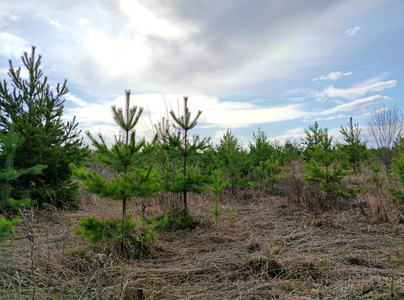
(268,248)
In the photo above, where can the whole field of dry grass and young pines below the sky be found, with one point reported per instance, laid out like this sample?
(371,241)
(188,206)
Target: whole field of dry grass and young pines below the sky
(302,226)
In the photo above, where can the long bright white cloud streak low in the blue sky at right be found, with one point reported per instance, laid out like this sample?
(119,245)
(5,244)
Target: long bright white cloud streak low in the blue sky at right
(359,90)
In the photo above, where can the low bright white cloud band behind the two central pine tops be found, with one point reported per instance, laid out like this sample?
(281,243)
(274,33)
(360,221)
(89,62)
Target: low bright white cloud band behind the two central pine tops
(215,113)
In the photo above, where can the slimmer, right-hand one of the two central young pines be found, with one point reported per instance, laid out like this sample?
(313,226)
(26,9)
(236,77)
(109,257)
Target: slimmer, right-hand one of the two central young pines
(190,180)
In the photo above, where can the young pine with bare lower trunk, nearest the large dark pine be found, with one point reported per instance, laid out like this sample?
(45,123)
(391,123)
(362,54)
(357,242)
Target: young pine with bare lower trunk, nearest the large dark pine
(127,158)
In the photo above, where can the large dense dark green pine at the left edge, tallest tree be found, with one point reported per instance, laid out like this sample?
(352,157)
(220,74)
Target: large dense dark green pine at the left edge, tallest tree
(34,111)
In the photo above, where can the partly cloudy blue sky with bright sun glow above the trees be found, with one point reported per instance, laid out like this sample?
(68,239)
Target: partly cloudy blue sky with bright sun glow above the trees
(272,65)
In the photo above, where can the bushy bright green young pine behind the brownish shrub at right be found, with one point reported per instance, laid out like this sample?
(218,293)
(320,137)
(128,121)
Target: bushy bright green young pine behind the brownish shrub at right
(325,169)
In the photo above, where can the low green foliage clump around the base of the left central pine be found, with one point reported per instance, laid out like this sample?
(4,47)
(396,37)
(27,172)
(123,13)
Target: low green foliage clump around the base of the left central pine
(139,237)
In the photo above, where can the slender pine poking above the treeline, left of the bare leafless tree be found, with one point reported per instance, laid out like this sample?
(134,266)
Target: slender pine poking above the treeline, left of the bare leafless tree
(354,146)
